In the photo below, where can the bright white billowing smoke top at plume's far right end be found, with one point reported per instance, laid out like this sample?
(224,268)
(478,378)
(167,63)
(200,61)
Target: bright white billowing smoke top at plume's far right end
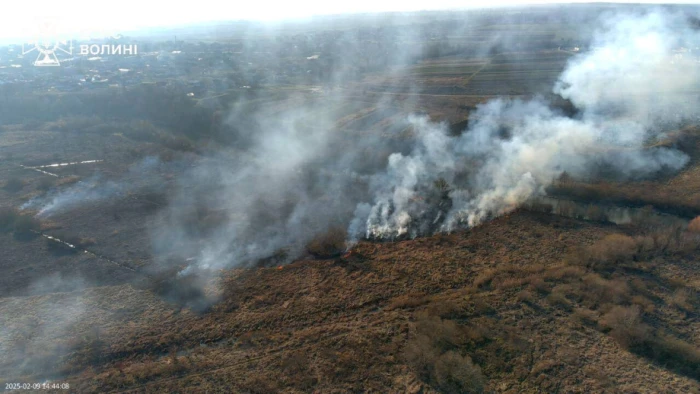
(635,69)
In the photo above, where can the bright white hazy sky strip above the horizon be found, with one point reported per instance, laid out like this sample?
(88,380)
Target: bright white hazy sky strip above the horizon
(27,18)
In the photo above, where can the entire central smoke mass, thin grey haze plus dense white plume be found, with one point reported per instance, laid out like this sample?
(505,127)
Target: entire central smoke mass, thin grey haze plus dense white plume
(298,176)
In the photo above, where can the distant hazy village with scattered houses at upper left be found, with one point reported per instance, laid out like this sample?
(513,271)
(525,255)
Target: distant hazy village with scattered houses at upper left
(203,68)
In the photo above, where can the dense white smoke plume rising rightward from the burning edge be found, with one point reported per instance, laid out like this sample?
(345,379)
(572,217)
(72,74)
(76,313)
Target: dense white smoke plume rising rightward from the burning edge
(627,88)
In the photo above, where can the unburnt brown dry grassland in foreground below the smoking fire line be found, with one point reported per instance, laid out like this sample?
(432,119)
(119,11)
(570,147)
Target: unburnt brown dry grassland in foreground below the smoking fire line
(510,305)
